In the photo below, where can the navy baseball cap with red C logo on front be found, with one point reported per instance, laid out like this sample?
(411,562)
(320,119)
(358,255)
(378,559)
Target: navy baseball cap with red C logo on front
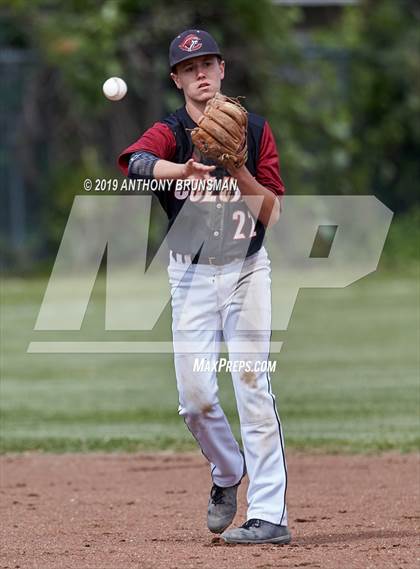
(192,43)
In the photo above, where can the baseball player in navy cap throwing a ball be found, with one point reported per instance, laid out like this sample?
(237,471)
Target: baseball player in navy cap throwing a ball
(219,273)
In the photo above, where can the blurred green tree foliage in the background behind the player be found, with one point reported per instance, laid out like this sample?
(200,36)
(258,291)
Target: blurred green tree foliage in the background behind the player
(341,99)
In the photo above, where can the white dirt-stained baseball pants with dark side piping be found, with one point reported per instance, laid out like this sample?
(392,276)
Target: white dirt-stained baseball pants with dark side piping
(231,302)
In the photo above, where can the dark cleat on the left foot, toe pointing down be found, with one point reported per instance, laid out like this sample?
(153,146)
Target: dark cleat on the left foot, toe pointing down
(222,505)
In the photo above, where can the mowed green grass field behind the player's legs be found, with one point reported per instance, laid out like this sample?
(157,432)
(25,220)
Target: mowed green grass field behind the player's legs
(346,379)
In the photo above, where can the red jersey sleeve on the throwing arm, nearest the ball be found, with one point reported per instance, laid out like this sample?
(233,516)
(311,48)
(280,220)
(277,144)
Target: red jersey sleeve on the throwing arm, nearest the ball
(159,140)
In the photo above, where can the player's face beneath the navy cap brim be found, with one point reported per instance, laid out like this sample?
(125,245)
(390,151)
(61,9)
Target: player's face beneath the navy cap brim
(200,77)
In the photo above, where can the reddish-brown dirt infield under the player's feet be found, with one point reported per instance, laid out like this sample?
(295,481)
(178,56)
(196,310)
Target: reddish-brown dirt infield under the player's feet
(148,511)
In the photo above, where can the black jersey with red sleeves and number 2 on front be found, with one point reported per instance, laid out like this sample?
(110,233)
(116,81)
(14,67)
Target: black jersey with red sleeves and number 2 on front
(217,223)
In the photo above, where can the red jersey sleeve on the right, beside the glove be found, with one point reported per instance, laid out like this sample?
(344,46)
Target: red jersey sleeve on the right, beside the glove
(268,168)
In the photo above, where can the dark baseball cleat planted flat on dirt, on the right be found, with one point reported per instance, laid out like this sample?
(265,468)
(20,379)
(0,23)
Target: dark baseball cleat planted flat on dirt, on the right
(258,531)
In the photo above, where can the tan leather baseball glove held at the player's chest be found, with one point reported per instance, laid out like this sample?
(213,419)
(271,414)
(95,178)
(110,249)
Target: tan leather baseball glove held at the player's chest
(221,133)
